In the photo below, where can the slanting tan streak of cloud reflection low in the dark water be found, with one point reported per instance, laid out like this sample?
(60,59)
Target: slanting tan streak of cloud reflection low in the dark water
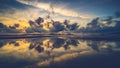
(62,58)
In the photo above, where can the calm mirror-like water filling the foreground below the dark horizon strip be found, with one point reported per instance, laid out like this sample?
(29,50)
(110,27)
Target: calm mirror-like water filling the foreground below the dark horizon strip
(59,53)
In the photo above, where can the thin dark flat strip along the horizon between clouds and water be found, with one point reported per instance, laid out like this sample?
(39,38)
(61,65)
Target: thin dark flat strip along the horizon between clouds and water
(69,35)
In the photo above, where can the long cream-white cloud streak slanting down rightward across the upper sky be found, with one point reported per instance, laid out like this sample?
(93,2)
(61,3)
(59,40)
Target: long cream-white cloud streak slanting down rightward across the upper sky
(59,8)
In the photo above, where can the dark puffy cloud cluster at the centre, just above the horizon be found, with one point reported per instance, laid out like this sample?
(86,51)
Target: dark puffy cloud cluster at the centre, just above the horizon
(37,26)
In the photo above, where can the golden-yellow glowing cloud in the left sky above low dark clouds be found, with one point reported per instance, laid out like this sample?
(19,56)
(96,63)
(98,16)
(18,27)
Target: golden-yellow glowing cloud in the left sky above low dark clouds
(20,16)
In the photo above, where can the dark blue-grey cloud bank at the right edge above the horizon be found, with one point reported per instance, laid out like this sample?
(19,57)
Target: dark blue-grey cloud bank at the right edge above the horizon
(95,26)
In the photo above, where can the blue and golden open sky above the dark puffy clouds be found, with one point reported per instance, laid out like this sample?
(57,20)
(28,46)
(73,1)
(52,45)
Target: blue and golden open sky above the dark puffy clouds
(80,11)
